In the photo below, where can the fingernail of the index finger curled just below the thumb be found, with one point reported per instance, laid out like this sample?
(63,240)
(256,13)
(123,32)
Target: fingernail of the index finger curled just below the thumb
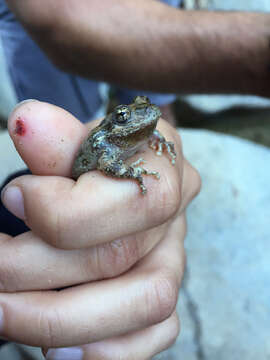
(12,198)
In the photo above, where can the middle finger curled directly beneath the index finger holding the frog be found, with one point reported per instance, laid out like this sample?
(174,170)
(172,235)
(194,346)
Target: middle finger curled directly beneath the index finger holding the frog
(29,263)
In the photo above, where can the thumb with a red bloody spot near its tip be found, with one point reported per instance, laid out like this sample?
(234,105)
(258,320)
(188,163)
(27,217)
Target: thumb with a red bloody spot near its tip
(46,137)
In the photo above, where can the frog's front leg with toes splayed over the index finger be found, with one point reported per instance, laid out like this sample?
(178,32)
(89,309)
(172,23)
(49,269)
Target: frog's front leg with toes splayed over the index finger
(115,167)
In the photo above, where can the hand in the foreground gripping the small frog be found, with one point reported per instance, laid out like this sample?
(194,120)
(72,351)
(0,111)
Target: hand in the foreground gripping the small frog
(97,228)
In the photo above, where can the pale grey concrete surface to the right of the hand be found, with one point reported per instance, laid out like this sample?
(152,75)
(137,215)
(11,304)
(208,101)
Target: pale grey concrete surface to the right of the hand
(224,304)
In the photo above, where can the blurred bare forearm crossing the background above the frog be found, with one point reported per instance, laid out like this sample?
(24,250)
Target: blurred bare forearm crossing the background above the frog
(146,44)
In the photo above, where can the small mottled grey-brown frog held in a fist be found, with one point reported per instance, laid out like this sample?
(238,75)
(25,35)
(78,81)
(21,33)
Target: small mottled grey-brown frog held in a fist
(121,134)
